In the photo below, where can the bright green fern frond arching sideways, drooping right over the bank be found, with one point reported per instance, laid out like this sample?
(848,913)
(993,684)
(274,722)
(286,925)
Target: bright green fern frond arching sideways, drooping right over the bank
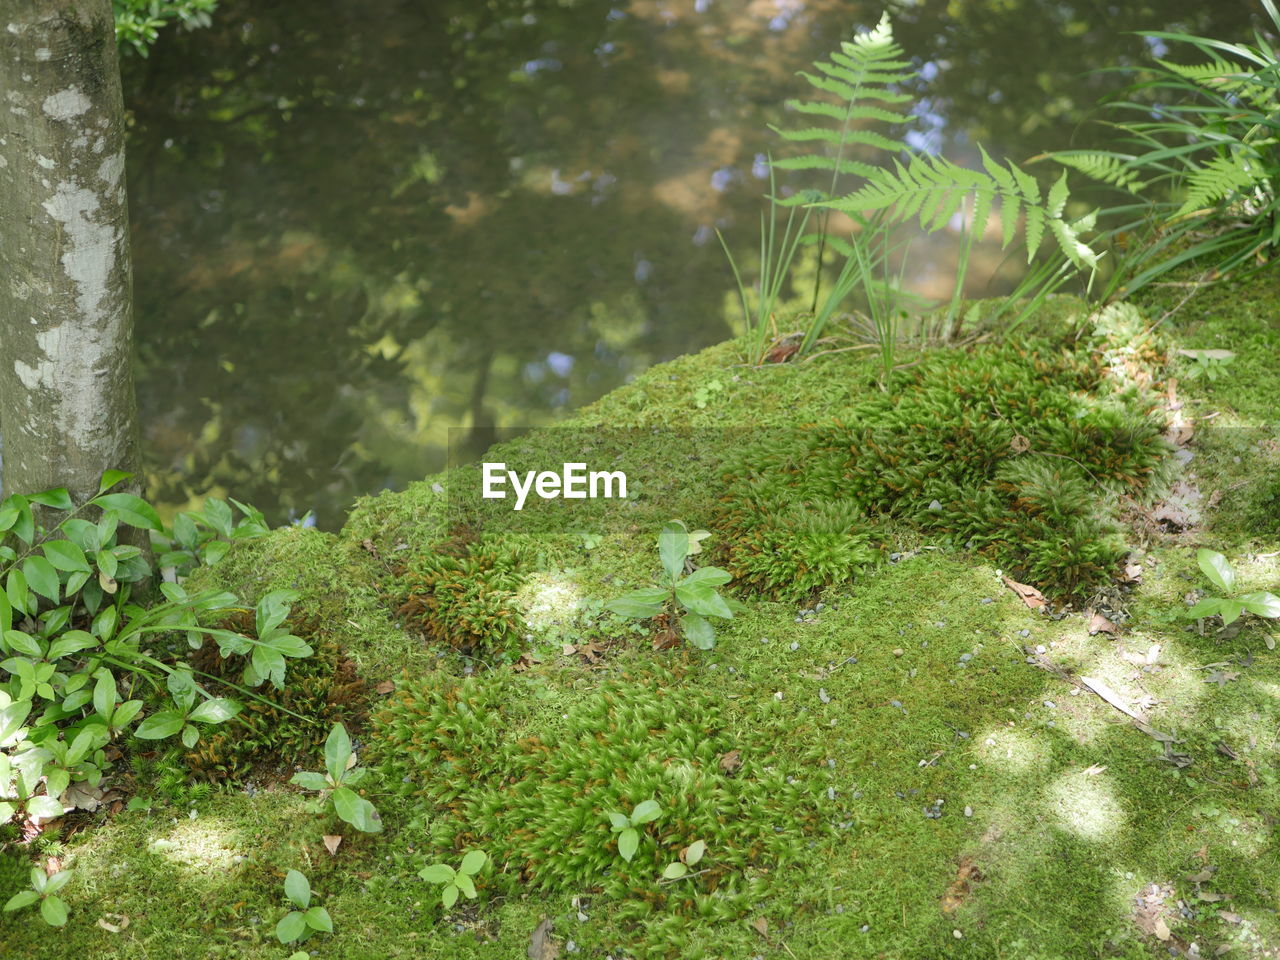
(934,190)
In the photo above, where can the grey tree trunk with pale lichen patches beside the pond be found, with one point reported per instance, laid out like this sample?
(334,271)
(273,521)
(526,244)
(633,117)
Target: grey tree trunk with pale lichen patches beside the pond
(67,405)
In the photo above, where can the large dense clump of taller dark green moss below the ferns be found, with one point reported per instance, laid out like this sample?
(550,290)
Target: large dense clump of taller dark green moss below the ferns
(1021,452)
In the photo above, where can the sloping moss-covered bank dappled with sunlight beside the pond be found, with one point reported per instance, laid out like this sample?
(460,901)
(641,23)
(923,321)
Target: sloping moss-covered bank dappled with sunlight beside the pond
(908,764)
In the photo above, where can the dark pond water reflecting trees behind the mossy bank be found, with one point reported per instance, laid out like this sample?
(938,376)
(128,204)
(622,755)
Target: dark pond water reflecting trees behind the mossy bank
(359,227)
